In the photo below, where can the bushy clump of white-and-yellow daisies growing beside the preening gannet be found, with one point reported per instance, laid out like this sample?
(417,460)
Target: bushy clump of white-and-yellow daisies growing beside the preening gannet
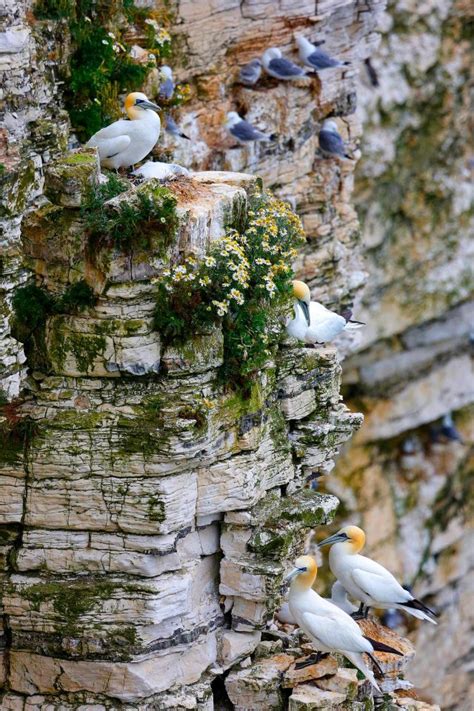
(245,282)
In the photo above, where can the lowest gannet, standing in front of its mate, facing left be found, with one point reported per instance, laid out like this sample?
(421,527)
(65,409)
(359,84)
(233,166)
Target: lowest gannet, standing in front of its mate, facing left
(329,628)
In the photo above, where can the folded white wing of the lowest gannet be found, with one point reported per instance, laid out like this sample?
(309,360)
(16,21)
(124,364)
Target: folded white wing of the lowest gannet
(335,631)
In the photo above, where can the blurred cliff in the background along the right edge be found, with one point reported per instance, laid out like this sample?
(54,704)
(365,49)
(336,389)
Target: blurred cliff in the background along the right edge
(410,487)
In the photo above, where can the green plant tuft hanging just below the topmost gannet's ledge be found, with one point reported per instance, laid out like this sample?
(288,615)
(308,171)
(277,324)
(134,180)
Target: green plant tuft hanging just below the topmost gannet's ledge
(148,220)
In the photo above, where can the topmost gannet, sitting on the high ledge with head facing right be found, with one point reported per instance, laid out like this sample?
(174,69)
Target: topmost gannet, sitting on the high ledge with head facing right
(125,143)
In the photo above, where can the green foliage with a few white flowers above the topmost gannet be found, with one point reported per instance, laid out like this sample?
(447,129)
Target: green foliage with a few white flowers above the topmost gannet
(101,65)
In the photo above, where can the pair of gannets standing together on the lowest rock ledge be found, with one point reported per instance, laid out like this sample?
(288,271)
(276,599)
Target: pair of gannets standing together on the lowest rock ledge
(328,623)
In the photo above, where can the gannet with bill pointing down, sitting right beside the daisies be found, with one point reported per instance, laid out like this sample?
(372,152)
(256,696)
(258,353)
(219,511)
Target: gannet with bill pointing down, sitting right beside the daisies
(313,322)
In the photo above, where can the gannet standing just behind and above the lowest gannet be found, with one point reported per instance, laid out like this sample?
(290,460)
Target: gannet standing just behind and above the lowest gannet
(366,580)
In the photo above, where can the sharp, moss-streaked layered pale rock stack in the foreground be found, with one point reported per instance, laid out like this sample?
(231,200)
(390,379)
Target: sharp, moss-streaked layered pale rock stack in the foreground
(155,509)
